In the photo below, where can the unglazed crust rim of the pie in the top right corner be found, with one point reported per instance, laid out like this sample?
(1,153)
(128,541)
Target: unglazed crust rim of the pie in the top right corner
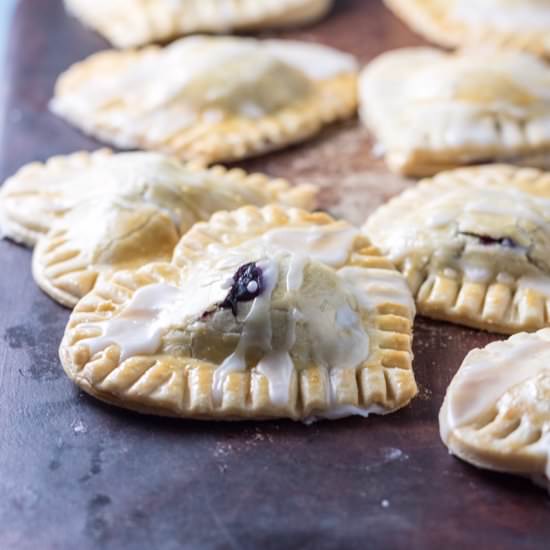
(431,19)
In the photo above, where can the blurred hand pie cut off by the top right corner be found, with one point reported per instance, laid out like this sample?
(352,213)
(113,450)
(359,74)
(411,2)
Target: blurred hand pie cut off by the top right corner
(518,24)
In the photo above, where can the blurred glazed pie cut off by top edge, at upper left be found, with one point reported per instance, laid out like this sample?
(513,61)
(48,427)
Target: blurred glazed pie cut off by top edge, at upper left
(128,23)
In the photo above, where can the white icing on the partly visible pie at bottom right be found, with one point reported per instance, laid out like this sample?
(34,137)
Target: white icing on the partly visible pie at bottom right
(487,374)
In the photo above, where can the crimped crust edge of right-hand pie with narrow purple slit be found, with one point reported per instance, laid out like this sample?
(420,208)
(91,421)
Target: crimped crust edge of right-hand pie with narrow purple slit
(497,306)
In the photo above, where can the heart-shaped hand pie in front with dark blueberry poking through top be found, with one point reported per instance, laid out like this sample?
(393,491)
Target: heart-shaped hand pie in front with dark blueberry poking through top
(262,313)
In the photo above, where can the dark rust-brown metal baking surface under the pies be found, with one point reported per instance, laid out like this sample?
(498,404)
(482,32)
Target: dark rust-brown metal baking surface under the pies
(75,473)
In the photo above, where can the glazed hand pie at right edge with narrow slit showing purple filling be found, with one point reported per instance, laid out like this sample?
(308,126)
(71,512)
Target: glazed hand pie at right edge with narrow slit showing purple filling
(474,246)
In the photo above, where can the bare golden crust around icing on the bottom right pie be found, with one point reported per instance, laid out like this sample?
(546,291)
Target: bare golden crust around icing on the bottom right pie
(511,436)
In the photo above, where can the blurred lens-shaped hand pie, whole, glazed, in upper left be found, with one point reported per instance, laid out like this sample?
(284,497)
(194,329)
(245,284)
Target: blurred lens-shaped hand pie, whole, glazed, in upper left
(209,99)
